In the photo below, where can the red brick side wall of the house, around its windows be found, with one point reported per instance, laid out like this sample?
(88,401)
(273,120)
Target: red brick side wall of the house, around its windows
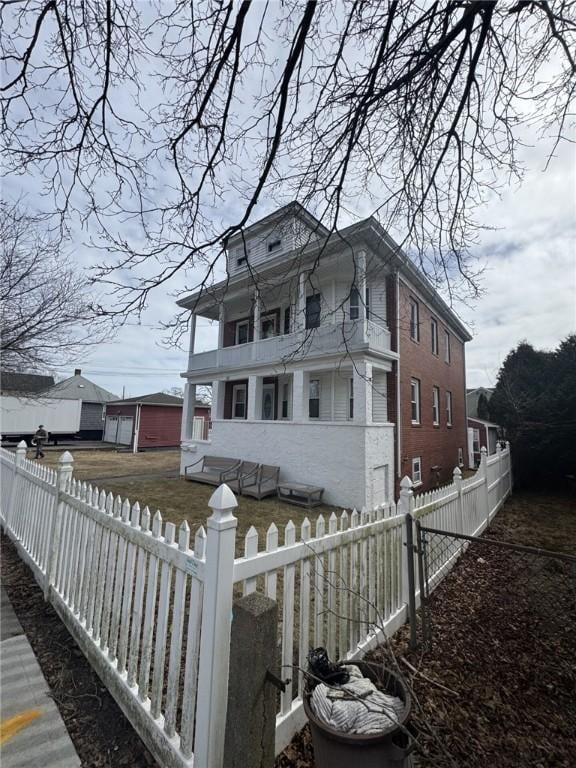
(436,445)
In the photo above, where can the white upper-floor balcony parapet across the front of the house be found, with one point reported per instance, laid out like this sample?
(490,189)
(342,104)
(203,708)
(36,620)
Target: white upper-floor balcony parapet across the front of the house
(347,337)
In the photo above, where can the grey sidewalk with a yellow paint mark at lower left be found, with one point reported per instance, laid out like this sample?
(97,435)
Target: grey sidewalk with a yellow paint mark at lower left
(33,734)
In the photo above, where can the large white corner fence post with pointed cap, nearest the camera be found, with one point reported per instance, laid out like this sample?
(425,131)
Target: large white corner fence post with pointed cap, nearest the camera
(216,628)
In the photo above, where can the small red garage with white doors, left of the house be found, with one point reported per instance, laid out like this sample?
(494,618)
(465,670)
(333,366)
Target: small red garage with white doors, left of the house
(148,421)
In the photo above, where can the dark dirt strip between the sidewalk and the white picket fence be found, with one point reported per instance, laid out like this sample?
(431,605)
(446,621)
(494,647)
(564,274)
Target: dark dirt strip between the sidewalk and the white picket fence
(101,734)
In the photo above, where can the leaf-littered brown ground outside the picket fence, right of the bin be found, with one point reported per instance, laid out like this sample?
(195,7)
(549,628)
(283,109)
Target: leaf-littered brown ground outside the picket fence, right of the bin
(510,671)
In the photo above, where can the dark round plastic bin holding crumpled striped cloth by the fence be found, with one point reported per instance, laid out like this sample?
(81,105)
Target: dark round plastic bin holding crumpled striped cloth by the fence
(389,749)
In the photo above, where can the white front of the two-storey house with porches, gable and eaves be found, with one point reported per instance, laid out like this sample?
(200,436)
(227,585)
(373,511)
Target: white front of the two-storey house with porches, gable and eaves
(303,376)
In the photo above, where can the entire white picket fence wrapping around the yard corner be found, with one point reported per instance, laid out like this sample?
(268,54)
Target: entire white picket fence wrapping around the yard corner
(153,616)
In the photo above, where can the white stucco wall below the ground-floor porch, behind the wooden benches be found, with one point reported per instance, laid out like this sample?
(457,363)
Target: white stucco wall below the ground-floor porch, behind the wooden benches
(339,457)
